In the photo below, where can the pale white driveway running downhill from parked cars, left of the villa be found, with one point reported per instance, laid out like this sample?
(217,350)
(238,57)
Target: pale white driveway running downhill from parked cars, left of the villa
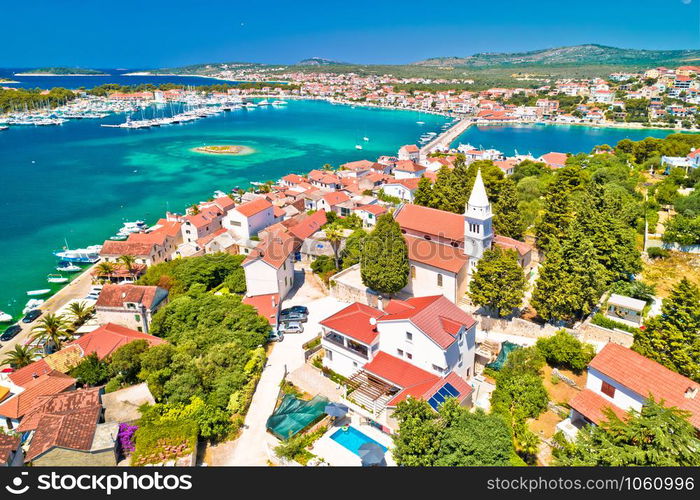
(252,446)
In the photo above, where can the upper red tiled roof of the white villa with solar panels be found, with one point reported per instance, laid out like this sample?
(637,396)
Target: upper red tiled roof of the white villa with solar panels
(435,316)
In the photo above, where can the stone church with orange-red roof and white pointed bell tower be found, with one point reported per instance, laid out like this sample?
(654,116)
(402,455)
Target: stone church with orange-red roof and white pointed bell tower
(444,248)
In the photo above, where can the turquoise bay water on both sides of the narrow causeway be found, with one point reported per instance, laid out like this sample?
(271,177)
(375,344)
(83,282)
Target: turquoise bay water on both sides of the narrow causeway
(78,182)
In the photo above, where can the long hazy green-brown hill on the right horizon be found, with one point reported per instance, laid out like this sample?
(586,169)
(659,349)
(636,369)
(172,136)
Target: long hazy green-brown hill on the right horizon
(590,54)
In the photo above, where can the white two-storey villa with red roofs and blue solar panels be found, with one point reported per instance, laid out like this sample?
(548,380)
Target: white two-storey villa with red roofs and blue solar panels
(411,348)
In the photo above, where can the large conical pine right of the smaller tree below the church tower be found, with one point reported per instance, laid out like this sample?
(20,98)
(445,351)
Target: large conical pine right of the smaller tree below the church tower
(570,280)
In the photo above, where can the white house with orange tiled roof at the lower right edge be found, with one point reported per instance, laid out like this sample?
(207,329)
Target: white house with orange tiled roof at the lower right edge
(622,380)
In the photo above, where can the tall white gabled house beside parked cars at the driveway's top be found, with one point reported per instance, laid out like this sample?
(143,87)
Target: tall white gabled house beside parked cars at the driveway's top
(269,268)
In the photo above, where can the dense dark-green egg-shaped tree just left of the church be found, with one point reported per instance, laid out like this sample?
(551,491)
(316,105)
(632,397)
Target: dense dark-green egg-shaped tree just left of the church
(384,263)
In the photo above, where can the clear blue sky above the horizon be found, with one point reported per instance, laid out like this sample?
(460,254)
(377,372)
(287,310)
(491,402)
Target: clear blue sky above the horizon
(157,33)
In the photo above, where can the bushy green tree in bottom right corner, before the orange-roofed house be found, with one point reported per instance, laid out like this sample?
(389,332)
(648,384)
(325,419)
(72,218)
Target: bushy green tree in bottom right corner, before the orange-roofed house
(656,436)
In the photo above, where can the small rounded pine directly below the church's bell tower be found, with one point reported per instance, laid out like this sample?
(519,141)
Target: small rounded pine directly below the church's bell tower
(499,281)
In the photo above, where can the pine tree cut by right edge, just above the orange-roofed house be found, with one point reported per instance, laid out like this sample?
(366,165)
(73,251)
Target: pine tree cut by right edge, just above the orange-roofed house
(673,338)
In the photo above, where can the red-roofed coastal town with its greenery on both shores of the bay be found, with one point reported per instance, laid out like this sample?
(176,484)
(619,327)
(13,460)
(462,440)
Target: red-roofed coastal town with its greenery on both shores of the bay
(507,310)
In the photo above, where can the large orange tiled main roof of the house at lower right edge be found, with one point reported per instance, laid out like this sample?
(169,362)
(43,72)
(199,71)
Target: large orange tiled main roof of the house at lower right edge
(644,377)
